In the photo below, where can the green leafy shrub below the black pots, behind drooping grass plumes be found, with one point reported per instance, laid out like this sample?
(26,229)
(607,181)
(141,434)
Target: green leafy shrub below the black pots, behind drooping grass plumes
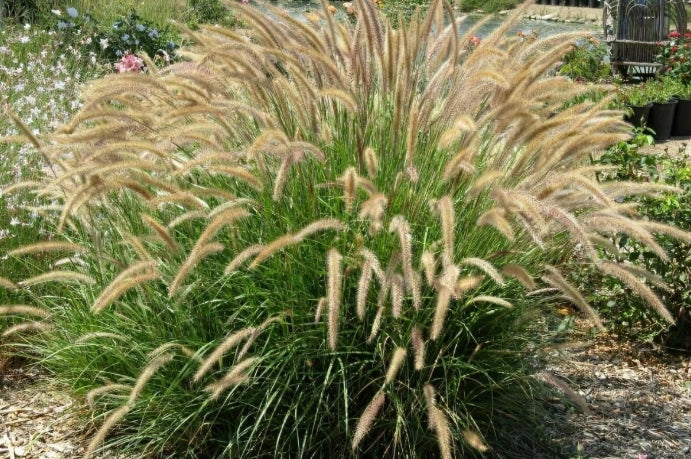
(670,274)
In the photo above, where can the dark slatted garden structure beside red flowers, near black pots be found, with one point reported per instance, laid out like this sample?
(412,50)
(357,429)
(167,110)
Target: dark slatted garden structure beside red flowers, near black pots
(634,30)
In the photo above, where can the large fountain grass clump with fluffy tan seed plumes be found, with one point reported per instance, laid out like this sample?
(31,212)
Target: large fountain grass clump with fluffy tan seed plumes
(321,239)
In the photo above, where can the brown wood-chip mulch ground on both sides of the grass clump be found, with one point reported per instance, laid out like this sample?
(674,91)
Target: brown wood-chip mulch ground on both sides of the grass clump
(638,398)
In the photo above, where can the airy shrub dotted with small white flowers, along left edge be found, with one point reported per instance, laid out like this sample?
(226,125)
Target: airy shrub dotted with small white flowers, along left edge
(41,87)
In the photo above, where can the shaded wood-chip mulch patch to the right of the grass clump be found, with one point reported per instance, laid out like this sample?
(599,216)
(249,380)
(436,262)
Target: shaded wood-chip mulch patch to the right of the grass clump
(639,400)
